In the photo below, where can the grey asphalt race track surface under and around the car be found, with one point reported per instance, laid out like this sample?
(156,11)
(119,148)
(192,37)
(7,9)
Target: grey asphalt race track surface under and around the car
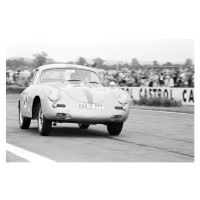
(147,136)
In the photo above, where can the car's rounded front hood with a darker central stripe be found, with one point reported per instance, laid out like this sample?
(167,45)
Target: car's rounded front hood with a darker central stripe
(85,93)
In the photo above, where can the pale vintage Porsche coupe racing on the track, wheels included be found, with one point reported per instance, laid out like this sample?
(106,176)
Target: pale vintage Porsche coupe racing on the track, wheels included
(67,93)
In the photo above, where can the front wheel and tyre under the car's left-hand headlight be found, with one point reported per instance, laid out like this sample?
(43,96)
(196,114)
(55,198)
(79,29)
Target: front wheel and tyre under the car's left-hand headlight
(44,125)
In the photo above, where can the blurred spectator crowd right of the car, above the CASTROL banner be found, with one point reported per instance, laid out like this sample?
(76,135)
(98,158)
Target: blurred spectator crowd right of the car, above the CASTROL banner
(152,77)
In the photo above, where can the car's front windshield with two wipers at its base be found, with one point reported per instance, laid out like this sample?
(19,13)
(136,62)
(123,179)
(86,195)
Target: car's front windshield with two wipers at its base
(73,75)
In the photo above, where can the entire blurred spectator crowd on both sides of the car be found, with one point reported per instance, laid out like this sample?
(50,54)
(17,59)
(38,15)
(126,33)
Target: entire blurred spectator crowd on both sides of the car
(141,77)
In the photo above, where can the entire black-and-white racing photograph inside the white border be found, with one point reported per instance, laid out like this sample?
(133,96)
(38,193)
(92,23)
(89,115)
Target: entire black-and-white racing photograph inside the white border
(97,108)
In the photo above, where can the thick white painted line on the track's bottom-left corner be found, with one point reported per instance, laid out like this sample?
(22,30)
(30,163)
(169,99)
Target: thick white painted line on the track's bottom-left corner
(32,157)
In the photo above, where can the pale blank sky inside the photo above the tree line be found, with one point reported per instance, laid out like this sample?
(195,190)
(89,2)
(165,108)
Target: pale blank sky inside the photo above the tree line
(161,50)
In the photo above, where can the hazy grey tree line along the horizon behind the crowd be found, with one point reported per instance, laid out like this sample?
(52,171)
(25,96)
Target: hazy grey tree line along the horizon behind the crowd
(43,58)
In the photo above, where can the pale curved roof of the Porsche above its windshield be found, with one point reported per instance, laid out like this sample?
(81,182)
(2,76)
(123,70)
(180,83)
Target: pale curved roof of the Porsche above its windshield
(64,66)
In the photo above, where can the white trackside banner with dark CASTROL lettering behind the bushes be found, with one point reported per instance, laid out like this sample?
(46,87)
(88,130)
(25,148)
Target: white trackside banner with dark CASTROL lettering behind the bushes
(185,95)
